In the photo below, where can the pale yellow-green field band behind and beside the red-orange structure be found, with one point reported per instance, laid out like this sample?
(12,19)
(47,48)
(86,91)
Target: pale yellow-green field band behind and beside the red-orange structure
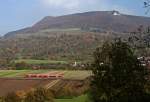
(67,74)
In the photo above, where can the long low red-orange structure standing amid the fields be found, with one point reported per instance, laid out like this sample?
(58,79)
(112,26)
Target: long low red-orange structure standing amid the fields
(46,75)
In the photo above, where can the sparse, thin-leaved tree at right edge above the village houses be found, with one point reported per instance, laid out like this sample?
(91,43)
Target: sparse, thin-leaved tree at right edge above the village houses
(140,41)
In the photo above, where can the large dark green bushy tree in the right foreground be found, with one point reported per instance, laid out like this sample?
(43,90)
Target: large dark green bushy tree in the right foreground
(118,76)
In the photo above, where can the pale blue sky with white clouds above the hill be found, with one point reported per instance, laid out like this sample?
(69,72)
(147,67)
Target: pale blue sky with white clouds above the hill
(18,14)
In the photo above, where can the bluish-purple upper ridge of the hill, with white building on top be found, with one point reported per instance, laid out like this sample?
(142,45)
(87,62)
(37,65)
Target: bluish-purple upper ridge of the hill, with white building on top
(104,20)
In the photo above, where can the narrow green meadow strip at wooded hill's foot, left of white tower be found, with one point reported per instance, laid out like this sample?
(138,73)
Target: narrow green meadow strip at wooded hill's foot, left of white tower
(31,61)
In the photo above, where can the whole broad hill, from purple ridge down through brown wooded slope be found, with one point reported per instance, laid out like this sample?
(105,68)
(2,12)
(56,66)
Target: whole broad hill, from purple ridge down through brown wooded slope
(69,37)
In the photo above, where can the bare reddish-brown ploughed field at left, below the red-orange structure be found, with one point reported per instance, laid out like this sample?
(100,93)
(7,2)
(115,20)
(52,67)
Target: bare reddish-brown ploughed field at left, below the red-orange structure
(15,85)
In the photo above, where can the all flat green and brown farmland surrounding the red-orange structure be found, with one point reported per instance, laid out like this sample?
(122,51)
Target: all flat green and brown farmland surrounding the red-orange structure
(15,80)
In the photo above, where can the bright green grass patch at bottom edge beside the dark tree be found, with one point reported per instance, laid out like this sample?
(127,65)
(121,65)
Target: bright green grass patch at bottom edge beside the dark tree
(82,98)
